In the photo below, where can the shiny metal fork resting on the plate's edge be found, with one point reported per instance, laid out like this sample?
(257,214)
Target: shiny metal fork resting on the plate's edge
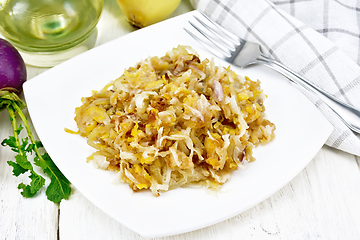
(242,53)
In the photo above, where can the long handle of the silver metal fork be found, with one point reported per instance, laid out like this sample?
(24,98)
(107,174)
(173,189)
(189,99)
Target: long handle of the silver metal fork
(347,113)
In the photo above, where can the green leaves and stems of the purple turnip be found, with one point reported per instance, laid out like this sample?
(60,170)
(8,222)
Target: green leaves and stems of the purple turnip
(59,187)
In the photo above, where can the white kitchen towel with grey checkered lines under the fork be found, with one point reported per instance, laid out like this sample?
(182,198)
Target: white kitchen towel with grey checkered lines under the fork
(318,39)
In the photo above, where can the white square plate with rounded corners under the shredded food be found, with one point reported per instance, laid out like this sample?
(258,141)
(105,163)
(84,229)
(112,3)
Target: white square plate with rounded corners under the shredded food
(53,96)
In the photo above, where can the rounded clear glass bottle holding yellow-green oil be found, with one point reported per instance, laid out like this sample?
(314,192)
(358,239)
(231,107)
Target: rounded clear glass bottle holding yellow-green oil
(48,27)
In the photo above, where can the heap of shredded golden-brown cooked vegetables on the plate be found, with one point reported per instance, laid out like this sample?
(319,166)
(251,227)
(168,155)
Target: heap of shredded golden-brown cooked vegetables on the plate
(175,121)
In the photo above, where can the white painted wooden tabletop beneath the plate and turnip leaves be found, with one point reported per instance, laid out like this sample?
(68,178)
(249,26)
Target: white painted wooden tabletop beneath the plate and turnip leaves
(322,202)
